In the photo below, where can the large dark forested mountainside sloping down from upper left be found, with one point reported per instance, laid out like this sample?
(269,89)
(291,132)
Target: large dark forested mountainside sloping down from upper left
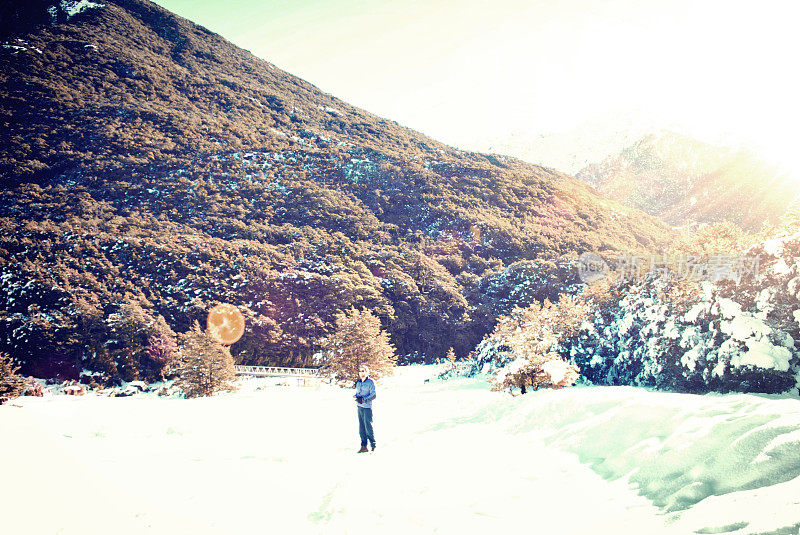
(151,169)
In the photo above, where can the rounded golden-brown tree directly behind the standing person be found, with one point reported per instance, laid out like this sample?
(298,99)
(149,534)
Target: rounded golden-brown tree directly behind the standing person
(358,340)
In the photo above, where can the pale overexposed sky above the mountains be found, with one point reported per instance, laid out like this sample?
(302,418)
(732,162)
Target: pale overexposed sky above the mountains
(465,72)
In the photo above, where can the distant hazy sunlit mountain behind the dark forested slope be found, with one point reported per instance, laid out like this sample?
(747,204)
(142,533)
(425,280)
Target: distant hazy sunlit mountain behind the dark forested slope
(685,182)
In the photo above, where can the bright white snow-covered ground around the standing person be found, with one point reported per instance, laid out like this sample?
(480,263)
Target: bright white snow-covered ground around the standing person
(452,457)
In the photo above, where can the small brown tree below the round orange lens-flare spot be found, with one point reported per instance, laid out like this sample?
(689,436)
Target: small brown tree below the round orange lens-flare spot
(205,366)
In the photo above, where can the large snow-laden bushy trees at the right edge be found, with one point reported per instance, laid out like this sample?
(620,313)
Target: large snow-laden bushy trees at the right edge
(734,329)
